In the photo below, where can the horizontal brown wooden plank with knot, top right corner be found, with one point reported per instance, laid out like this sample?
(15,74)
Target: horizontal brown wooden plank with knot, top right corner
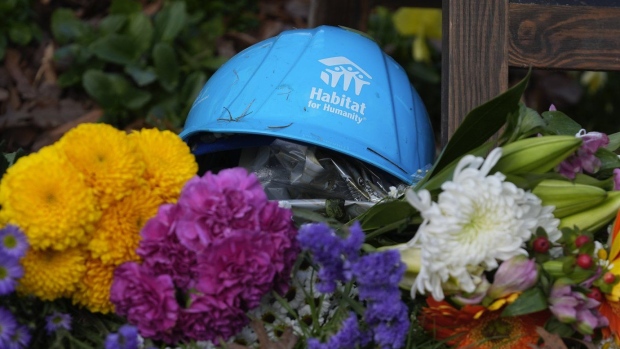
(564,37)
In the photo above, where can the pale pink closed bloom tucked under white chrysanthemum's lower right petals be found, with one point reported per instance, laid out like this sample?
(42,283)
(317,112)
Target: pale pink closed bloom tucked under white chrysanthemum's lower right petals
(514,275)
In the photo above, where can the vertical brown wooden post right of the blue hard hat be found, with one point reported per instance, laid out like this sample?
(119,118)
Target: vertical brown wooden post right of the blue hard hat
(474,57)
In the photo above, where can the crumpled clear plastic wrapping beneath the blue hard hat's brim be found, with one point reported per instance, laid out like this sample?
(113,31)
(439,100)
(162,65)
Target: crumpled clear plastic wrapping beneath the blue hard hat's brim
(291,171)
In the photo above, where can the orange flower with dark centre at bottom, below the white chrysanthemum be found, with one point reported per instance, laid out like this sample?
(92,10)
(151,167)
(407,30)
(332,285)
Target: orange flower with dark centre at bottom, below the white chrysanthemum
(474,327)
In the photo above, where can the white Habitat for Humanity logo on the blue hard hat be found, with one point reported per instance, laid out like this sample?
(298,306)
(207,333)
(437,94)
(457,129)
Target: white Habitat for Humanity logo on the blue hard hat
(340,71)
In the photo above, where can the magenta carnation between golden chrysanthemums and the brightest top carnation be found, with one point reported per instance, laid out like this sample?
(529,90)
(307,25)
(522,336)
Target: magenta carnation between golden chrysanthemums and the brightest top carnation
(162,252)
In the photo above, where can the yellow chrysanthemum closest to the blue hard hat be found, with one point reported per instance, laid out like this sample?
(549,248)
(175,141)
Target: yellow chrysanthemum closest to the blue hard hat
(169,162)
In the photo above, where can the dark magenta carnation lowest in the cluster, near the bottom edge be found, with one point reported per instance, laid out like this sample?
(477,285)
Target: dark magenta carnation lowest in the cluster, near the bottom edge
(208,318)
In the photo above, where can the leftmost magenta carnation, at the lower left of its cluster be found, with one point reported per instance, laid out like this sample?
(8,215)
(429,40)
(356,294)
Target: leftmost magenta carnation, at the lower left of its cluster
(147,301)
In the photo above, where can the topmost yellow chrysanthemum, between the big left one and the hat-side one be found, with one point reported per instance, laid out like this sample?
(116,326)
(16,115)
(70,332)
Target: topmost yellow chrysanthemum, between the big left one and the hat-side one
(107,158)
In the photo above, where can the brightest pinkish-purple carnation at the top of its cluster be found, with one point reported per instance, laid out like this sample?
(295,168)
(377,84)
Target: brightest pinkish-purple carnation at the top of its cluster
(213,205)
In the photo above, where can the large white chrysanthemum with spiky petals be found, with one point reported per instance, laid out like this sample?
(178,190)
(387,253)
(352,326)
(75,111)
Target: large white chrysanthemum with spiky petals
(478,220)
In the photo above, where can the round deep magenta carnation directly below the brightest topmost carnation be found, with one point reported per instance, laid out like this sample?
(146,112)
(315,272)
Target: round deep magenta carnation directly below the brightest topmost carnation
(238,270)
